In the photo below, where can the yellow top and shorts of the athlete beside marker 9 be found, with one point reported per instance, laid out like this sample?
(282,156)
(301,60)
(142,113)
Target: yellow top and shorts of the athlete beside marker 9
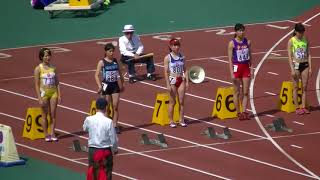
(48,84)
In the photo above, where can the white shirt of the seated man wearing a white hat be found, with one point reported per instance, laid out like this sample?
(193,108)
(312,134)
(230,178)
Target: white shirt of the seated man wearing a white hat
(130,47)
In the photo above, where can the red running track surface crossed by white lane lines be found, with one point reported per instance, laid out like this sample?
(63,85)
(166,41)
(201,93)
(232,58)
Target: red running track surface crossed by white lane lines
(248,155)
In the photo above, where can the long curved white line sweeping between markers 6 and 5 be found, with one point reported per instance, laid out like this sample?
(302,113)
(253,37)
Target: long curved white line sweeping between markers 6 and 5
(254,108)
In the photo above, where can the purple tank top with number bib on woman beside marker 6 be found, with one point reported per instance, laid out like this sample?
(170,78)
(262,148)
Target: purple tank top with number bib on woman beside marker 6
(240,52)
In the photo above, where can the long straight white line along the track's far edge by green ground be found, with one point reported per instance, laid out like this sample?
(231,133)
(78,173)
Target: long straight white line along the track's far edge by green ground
(147,34)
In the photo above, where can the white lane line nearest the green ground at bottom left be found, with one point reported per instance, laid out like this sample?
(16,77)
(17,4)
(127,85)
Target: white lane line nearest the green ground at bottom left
(67,159)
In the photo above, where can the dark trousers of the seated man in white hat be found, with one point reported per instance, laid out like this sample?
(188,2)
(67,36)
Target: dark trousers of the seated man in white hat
(131,68)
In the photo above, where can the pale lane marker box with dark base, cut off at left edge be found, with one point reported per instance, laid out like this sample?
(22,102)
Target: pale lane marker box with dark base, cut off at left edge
(8,150)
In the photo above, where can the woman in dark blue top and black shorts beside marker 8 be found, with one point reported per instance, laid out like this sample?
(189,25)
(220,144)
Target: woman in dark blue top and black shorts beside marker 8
(109,79)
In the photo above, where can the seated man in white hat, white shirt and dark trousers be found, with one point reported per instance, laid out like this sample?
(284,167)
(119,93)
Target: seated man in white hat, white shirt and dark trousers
(131,50)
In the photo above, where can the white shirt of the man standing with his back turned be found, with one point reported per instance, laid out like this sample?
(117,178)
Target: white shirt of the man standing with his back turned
(101,132)
